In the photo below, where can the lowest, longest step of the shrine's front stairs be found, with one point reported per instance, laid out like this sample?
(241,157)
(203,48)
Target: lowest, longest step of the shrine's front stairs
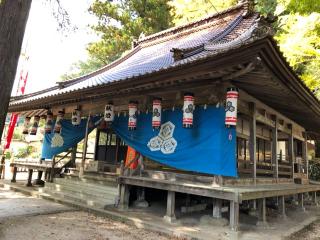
(77,198)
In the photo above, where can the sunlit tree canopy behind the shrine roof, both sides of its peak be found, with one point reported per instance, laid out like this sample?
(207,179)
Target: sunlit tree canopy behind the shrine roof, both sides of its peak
(297,25)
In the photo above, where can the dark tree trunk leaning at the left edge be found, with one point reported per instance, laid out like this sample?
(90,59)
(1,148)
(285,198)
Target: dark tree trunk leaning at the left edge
(13,19)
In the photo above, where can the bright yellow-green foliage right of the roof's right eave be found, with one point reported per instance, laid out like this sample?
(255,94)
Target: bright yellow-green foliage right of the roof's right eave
(299,40)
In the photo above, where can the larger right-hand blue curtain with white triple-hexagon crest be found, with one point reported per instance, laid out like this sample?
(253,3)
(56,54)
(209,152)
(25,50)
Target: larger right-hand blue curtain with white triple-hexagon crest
(209,147)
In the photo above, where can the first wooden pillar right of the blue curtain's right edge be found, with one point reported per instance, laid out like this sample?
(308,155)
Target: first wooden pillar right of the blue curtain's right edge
(252,139)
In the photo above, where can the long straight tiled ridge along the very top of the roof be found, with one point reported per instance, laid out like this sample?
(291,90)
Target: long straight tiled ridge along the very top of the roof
(186,26)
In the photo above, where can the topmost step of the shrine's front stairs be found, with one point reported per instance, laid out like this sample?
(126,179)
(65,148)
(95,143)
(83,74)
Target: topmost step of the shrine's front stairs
(88,186)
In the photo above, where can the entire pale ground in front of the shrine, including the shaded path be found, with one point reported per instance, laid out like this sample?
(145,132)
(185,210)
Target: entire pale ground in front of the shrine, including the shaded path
(28,218)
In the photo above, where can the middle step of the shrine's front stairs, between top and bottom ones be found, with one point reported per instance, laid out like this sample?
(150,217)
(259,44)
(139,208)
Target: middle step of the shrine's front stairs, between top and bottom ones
(92,193)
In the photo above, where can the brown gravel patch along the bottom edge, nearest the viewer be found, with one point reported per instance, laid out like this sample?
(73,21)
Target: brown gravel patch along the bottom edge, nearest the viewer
(71,225)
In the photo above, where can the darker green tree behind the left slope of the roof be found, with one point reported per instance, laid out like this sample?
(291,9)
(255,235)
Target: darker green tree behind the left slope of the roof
(120,22)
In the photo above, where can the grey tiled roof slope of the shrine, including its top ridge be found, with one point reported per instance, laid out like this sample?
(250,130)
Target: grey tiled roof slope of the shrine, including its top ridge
(154,53)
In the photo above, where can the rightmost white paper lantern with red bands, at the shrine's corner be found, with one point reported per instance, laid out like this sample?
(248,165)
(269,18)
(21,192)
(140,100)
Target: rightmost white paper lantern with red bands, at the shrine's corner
(231,106)
